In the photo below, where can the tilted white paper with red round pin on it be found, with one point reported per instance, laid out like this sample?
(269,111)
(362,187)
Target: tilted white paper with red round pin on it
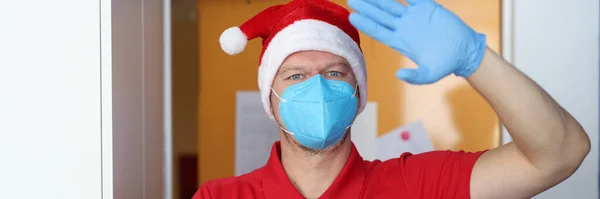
(410,138)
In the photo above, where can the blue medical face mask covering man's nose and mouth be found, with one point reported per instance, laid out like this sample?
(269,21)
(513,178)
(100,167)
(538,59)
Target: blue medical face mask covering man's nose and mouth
(318,111)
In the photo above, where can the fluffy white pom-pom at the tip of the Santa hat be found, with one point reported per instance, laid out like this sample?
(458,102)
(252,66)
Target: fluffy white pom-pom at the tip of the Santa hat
(233,40)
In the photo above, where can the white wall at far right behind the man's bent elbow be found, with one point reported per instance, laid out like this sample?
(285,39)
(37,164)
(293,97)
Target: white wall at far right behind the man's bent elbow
(556,43)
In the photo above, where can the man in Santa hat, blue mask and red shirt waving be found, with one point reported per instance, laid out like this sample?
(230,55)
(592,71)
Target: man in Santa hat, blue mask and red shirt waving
(312,78)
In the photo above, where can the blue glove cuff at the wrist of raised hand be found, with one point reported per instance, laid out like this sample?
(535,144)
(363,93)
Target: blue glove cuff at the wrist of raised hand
(474,60)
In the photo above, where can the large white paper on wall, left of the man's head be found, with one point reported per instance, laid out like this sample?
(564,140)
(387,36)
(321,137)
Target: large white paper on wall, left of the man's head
(255,133)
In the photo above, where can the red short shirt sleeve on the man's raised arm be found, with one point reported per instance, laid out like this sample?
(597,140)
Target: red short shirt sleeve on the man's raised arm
(438,174)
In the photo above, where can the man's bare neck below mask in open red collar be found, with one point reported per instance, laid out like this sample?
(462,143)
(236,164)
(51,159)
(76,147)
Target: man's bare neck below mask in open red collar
(313,173)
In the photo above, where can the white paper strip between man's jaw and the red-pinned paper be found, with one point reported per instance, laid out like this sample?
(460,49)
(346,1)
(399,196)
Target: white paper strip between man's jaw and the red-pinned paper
(364,132)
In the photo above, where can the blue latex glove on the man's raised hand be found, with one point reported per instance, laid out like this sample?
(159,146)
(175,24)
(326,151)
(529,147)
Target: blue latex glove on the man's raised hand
(434,38)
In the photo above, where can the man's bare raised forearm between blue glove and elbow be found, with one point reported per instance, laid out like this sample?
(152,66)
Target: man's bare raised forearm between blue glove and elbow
(547,135)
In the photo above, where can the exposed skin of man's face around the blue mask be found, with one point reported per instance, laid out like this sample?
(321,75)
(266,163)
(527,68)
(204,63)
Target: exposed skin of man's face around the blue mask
(301,66)
